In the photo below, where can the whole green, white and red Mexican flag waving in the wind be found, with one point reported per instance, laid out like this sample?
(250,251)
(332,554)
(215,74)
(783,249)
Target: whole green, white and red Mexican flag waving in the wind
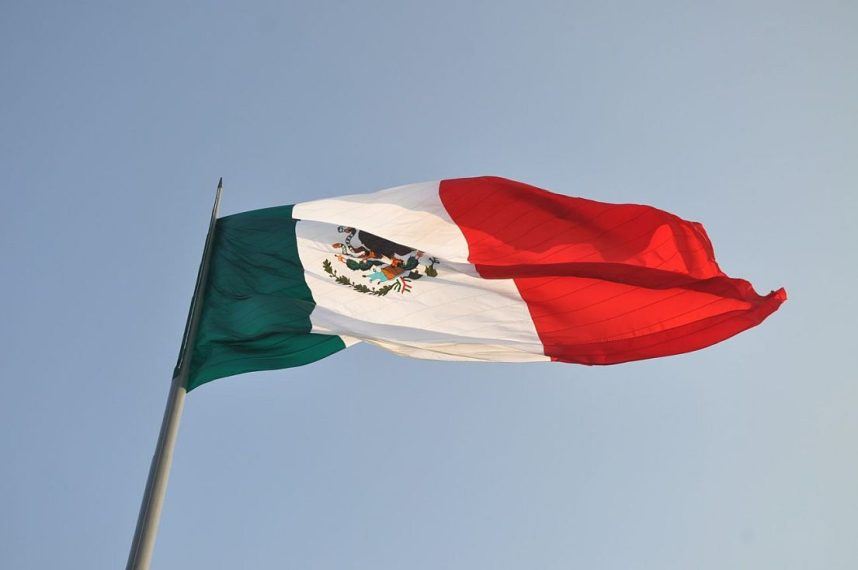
(475,269)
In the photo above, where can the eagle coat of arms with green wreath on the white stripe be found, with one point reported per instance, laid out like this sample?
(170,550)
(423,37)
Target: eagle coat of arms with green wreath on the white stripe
(381,266)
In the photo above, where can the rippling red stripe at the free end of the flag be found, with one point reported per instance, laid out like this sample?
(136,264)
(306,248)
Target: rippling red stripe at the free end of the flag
(604,283)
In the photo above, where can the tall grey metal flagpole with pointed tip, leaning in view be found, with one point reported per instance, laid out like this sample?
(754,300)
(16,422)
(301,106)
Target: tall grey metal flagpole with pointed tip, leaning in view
(159,471)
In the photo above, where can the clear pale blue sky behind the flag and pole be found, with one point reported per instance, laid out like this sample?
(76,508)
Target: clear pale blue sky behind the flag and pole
(116,120)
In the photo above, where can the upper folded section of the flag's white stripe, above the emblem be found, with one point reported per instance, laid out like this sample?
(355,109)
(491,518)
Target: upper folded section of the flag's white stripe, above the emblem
(412,215)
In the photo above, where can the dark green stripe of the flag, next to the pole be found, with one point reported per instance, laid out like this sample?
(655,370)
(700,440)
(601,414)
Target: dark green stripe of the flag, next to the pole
(256,304)
